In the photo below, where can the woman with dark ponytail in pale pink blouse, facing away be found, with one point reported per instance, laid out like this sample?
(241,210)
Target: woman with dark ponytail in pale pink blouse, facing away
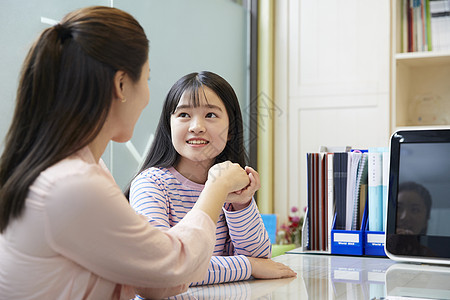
(65,225)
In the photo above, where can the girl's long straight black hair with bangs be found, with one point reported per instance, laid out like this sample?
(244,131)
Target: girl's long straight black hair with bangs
(163,154)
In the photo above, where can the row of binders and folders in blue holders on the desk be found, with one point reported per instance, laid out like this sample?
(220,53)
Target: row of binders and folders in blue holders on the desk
(346,194)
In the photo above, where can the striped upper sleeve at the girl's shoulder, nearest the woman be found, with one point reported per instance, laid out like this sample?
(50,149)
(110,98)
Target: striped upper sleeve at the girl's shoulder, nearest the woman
(148,198)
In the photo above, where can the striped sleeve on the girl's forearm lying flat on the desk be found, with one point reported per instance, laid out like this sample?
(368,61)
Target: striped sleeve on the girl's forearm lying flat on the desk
(227,269)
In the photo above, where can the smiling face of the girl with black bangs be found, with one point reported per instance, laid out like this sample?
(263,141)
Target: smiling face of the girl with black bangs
(199,134)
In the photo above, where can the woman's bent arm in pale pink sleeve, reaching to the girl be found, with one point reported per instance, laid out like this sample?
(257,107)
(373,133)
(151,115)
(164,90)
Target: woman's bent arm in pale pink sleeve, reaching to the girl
(89,221)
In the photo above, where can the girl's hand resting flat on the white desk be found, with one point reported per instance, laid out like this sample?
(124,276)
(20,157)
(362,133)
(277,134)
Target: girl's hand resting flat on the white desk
(265,268)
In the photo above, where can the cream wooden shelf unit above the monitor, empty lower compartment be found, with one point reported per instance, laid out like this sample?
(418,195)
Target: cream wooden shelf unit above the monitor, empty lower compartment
(420,83)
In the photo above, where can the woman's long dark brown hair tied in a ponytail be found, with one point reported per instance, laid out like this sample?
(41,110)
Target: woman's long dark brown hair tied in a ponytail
(64,95)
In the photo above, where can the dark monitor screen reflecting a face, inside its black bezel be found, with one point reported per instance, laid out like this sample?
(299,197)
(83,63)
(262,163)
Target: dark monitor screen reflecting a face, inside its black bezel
(424,189)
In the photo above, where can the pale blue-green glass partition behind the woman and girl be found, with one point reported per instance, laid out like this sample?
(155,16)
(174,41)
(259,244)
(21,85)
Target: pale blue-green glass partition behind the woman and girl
(185,36)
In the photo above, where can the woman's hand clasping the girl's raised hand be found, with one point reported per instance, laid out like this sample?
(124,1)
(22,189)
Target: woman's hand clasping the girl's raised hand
(229,175)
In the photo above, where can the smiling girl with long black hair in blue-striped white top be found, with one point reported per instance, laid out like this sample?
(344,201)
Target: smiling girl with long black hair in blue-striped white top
(201,125)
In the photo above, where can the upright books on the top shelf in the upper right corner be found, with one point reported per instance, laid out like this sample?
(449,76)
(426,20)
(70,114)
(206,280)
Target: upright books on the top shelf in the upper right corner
(425,25)
